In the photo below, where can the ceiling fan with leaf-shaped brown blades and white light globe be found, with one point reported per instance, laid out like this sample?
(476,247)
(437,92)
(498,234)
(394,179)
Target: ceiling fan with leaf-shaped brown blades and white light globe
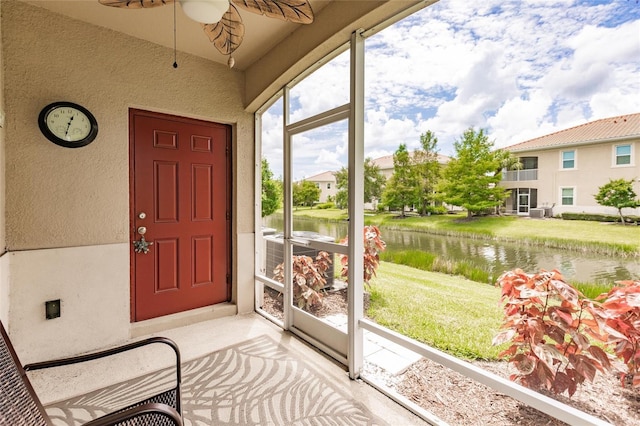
(221,19)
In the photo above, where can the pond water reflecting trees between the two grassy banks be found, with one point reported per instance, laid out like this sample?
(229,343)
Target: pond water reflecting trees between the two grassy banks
(493,256)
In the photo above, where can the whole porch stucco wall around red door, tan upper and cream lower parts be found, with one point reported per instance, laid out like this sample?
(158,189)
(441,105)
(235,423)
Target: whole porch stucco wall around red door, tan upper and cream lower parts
(72,198)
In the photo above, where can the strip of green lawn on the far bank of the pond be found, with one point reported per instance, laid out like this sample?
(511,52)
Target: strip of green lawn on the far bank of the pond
(610,239)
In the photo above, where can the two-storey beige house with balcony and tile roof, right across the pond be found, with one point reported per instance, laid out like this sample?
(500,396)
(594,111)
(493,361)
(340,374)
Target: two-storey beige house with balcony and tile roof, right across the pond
(563,171)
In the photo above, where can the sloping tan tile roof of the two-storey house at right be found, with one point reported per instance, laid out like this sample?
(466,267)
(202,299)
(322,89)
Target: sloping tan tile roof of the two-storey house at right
(606,129)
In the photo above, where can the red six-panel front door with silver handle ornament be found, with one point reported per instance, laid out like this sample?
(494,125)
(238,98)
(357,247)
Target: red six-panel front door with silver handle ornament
(180,184)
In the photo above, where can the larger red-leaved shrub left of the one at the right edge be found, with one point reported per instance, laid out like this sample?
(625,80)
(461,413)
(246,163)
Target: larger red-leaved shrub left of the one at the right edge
(550,326)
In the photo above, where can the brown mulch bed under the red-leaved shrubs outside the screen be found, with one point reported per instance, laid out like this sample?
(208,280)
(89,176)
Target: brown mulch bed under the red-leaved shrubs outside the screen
(459,400)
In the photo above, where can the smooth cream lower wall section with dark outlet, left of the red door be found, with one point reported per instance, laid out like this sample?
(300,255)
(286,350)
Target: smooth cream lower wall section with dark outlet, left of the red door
(95,310)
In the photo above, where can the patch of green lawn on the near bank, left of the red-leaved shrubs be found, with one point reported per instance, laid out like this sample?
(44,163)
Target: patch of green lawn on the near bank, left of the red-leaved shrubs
(452,314)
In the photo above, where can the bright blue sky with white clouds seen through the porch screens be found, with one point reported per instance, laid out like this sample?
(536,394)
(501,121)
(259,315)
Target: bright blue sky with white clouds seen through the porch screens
(516,69)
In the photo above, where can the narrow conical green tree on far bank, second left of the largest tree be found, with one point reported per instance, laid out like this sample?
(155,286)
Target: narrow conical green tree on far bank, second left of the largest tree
(402,188)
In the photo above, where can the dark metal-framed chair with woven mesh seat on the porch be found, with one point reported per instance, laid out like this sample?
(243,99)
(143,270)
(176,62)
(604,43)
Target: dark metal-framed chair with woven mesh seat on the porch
(19,404)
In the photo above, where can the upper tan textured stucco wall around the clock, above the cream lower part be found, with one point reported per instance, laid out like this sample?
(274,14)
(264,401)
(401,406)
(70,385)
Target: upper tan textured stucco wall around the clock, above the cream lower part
(63,197)
